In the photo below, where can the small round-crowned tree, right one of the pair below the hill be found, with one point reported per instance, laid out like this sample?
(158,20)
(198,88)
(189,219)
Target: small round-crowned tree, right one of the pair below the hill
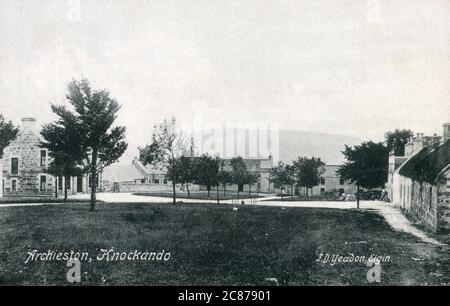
(308,172)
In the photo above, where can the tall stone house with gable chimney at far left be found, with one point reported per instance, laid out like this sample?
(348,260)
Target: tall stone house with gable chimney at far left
(24,166)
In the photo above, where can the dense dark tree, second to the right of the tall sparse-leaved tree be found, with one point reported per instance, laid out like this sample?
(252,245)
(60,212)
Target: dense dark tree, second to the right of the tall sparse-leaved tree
(207,171)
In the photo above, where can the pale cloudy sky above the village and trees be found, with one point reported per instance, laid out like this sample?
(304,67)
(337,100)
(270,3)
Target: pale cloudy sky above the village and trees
(350,67)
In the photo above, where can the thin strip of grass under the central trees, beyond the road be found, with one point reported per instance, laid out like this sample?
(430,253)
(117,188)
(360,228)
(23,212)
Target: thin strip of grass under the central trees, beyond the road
(200,195)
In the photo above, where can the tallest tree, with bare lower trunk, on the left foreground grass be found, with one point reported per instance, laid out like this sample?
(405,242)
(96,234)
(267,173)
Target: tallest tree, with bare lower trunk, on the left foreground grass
(95,112)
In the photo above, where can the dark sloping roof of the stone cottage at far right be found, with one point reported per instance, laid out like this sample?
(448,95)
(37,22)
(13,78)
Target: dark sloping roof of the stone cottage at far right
(428,163)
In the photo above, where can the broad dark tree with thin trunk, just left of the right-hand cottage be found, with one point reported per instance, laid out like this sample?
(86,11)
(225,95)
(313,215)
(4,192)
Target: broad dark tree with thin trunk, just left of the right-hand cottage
(366,165)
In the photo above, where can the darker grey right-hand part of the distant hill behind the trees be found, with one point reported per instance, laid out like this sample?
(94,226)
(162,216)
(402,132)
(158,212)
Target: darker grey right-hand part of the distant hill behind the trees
(326,146)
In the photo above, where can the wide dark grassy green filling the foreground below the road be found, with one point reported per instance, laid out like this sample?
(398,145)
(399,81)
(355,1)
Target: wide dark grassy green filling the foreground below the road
(212,245)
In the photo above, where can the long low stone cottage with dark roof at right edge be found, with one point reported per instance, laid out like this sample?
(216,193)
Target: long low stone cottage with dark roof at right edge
(421,185)
